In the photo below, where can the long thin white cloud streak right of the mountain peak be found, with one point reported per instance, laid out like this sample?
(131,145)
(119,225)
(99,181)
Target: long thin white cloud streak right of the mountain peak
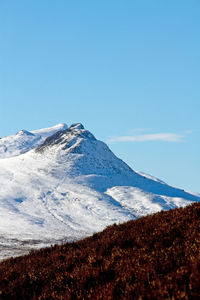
(166,137)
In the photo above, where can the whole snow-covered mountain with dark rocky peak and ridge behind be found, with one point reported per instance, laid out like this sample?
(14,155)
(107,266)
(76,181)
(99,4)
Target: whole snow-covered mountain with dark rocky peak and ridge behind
(68,186)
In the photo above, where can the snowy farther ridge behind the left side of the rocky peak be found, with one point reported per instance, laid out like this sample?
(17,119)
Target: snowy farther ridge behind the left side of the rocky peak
(24,140)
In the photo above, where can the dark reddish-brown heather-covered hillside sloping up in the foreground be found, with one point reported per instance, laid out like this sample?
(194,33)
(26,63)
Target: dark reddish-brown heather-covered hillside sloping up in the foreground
(154,257)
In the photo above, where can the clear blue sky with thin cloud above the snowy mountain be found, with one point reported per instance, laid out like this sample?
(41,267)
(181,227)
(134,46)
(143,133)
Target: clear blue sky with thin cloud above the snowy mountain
(128,70)
